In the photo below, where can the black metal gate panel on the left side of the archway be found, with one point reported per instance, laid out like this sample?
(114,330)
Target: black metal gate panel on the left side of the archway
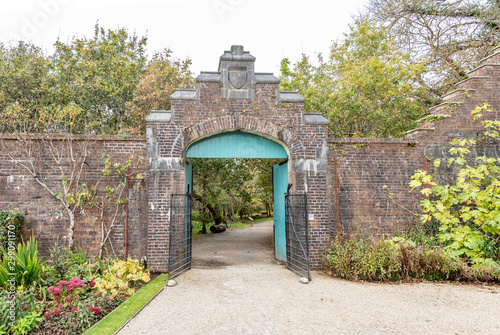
(179,251)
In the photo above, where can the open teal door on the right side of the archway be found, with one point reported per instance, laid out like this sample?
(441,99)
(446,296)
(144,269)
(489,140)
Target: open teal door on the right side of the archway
(280,184)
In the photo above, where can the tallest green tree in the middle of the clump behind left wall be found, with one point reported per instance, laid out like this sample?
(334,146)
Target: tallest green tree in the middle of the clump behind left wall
(100,75)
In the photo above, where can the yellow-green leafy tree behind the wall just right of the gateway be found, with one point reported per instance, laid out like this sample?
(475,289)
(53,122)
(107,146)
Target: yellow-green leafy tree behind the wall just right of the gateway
(366,88)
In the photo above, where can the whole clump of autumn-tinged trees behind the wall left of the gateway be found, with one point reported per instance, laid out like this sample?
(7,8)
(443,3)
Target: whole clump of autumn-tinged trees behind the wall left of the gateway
(107,76)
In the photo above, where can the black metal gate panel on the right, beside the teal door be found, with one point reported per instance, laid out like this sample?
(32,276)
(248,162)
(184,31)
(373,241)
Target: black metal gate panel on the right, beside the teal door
(297,234)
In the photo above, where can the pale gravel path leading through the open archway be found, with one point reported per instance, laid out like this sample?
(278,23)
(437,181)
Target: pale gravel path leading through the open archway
(236,287)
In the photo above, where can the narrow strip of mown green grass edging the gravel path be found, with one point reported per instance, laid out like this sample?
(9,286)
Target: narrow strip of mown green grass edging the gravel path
(118,318)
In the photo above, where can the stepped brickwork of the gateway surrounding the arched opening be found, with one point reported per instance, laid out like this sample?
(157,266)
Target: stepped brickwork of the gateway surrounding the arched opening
(264,116)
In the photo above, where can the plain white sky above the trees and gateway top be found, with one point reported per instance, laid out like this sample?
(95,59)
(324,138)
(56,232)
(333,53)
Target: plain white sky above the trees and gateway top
(199,29)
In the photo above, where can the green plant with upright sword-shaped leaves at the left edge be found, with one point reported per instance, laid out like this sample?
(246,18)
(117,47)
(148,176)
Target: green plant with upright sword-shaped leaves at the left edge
(23,263)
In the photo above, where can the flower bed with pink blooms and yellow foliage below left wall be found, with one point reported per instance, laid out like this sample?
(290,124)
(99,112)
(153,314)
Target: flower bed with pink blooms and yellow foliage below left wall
(66,295)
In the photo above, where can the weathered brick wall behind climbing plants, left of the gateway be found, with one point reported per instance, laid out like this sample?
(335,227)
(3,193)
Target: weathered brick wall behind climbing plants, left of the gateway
(48,222)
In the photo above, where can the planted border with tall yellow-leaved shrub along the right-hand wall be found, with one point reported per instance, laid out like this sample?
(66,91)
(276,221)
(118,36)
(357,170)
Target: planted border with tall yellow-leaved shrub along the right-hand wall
(465,210)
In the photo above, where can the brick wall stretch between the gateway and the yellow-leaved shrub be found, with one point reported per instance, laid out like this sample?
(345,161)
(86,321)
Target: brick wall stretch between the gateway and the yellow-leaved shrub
(364,167)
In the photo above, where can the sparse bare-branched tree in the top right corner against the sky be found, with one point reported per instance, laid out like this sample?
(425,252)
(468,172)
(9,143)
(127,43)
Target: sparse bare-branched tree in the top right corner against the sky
(449,37)
